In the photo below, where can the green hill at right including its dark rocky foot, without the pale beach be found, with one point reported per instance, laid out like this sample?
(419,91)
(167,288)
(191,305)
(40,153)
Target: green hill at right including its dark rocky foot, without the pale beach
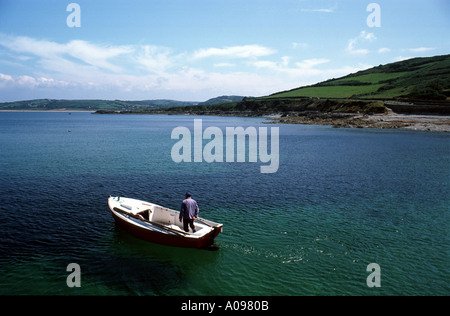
(418,85)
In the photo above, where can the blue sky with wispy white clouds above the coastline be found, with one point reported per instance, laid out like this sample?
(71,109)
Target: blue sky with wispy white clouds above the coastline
(193,50)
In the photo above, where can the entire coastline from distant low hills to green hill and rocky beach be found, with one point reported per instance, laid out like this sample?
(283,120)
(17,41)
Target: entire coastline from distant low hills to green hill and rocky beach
(396,95)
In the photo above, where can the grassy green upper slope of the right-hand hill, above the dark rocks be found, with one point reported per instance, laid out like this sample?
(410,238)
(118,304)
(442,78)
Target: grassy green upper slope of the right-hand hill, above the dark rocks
(417,78)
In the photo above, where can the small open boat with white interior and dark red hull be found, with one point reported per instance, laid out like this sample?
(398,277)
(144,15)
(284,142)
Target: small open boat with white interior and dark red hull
(161,225)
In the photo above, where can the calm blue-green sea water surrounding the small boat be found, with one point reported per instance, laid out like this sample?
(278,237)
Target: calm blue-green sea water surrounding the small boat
(341,199)
